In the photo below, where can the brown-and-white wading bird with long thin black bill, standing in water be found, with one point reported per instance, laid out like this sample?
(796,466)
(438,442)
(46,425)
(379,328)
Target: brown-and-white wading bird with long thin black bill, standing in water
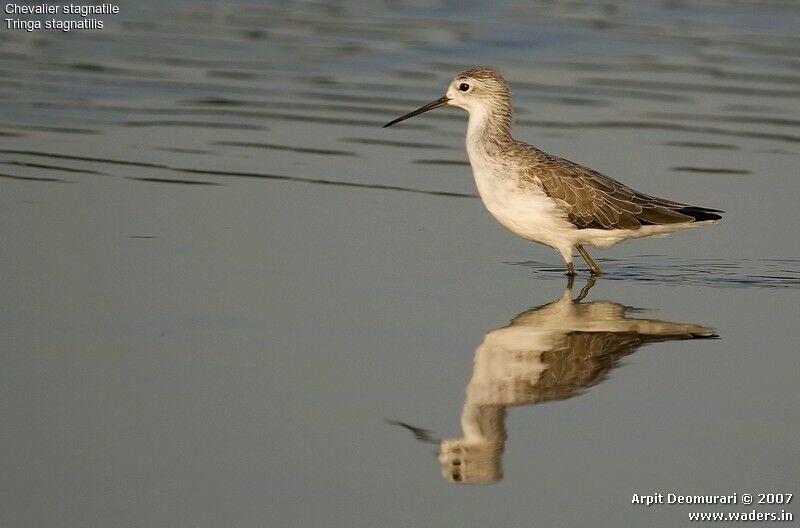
(548,199)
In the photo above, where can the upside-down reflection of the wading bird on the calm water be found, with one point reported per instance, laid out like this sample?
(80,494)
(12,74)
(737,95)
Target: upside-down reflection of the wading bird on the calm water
(552,352)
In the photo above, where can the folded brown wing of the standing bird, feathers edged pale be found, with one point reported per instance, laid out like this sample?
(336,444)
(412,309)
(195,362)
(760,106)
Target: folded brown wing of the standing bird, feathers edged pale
(592,200)
